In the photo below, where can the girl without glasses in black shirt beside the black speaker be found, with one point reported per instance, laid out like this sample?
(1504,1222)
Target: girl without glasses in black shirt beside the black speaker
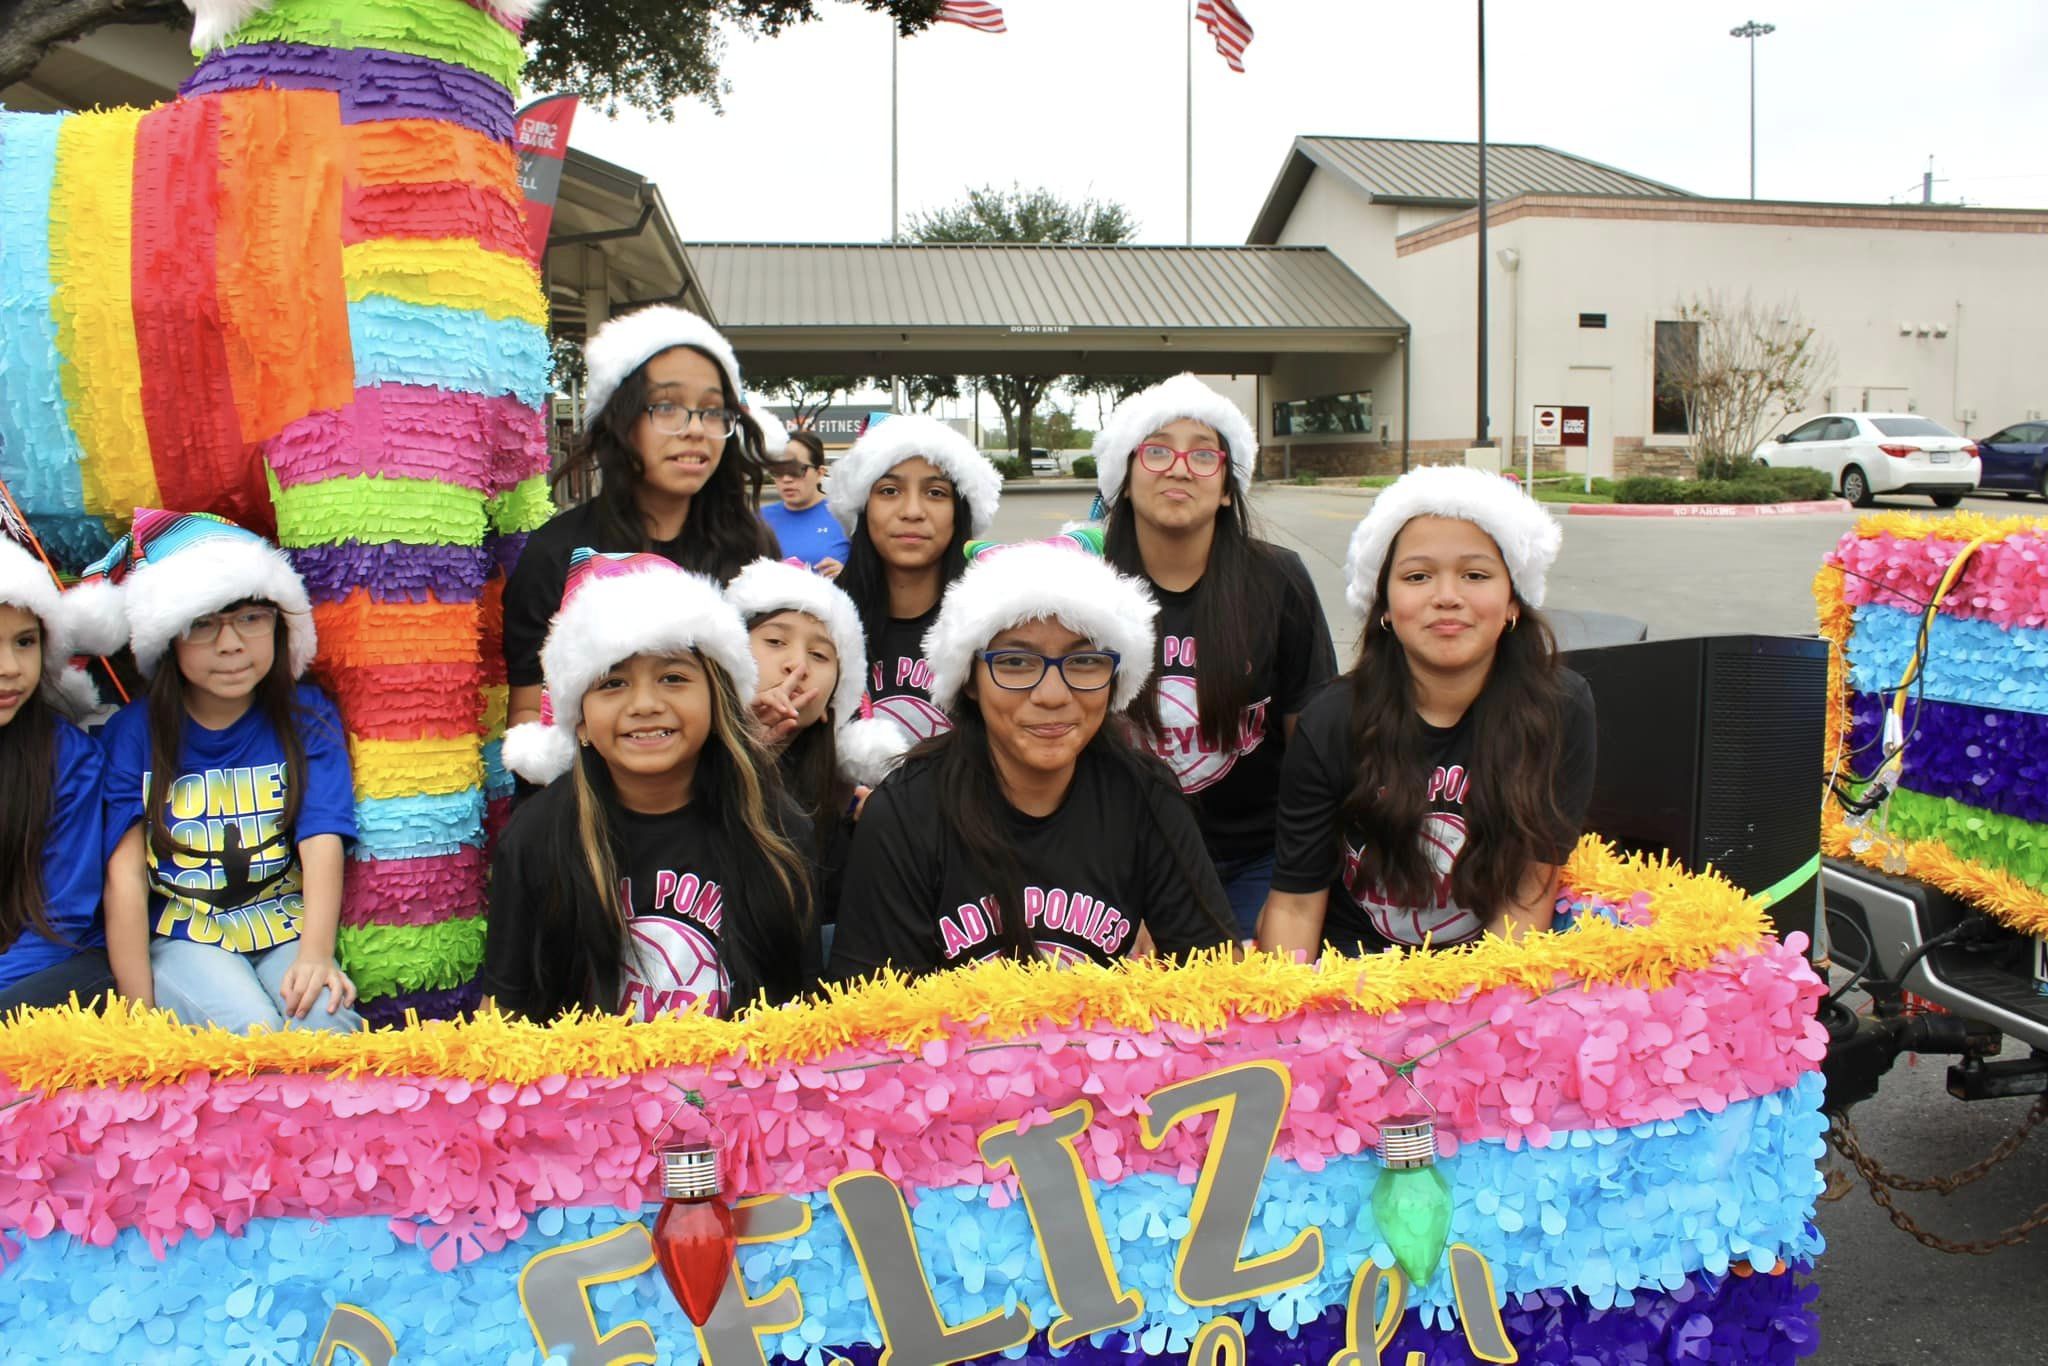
(1435,792)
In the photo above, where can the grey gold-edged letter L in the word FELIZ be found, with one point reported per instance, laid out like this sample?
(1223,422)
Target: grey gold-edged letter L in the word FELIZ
(878,1226)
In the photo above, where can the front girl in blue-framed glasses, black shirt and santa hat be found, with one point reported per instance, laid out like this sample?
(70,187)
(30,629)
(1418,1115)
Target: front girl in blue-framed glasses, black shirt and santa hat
(1031,826)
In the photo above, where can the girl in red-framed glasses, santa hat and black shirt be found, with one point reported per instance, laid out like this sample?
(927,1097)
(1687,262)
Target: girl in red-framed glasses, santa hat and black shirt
(1242,636)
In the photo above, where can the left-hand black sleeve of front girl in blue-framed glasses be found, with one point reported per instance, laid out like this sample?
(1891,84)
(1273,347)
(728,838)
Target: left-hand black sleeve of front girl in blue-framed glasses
(888,910)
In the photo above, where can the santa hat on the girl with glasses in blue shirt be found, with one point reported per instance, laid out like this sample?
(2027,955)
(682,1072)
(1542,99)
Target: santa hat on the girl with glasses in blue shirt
(179,566)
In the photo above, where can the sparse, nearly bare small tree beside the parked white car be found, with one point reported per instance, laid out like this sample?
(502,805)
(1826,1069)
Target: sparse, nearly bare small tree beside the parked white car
(1738,370)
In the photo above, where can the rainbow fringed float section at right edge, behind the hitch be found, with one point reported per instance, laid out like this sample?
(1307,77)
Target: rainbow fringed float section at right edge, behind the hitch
(1967,812)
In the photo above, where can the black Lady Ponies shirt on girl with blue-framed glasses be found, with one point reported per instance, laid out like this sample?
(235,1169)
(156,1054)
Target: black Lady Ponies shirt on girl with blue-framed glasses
(1121,853)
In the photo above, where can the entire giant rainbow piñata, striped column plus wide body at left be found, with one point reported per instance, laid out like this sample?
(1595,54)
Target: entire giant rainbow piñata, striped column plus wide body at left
(298,296)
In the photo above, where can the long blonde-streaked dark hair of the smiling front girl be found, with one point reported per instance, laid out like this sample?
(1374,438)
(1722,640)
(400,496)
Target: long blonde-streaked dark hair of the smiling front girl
(767,906)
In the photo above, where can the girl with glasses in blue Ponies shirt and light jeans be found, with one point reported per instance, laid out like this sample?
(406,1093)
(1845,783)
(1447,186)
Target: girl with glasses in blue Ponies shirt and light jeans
(226,787)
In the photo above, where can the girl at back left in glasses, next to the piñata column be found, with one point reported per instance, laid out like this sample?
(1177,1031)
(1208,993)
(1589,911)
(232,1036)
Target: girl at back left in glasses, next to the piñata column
(677,464)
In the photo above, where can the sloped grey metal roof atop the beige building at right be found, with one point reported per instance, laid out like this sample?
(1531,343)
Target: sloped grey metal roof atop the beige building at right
(1402,171)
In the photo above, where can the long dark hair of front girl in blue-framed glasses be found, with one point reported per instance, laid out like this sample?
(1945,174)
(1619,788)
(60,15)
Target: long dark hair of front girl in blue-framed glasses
(970,802)
